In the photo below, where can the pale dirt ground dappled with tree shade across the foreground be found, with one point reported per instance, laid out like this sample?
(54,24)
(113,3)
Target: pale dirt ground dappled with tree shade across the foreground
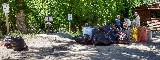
(57,47)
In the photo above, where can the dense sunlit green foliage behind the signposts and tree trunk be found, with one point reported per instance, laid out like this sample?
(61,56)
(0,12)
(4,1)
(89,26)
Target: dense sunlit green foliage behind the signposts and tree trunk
(97,11)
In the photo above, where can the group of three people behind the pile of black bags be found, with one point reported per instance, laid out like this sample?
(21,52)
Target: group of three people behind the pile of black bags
(127,23)
